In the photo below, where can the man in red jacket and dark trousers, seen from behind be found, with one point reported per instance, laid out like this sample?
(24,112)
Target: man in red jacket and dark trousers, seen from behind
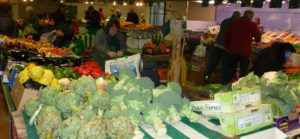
(238,39)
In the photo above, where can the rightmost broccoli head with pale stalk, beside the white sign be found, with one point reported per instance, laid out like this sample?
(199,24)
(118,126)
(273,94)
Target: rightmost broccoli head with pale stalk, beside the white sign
(183,108)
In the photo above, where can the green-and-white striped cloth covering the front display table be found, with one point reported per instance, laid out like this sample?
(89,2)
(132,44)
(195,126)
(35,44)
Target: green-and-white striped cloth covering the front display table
(184,129)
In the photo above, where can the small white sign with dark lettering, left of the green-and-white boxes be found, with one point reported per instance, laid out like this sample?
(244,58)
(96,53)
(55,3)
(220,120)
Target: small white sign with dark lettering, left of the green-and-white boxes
(200,106)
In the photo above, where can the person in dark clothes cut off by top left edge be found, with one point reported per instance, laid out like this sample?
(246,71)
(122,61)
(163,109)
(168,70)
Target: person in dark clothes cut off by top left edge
(8,26)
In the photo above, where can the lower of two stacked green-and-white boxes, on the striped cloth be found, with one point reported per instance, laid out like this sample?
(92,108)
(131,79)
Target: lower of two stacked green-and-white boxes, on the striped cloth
(247,120)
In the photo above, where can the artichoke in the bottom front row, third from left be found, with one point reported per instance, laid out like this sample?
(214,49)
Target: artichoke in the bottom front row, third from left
(95,128)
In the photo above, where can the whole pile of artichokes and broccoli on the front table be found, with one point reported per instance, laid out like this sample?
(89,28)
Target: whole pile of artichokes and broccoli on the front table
(82,110)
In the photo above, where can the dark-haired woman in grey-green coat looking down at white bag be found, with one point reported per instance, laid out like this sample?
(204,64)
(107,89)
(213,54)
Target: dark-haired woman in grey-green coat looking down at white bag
(109,43)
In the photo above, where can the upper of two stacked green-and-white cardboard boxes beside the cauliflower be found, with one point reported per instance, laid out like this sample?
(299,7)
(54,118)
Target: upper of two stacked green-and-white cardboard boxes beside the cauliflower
(239,100)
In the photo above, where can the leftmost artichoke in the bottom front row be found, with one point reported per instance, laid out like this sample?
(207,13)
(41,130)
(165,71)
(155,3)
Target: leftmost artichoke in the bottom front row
(47,125)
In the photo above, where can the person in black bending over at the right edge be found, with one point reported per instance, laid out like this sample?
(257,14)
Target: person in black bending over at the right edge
(272,58)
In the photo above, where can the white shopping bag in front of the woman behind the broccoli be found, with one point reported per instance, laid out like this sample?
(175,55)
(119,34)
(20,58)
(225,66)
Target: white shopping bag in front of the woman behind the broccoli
(125,63)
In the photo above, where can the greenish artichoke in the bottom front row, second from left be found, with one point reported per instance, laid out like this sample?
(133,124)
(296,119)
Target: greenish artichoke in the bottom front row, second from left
(70,127)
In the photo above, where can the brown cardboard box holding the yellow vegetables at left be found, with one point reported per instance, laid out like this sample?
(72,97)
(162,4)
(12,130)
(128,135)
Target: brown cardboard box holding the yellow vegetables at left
(20,94)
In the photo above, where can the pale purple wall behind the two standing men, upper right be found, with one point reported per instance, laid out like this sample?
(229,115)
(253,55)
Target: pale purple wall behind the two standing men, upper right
(271,18)
